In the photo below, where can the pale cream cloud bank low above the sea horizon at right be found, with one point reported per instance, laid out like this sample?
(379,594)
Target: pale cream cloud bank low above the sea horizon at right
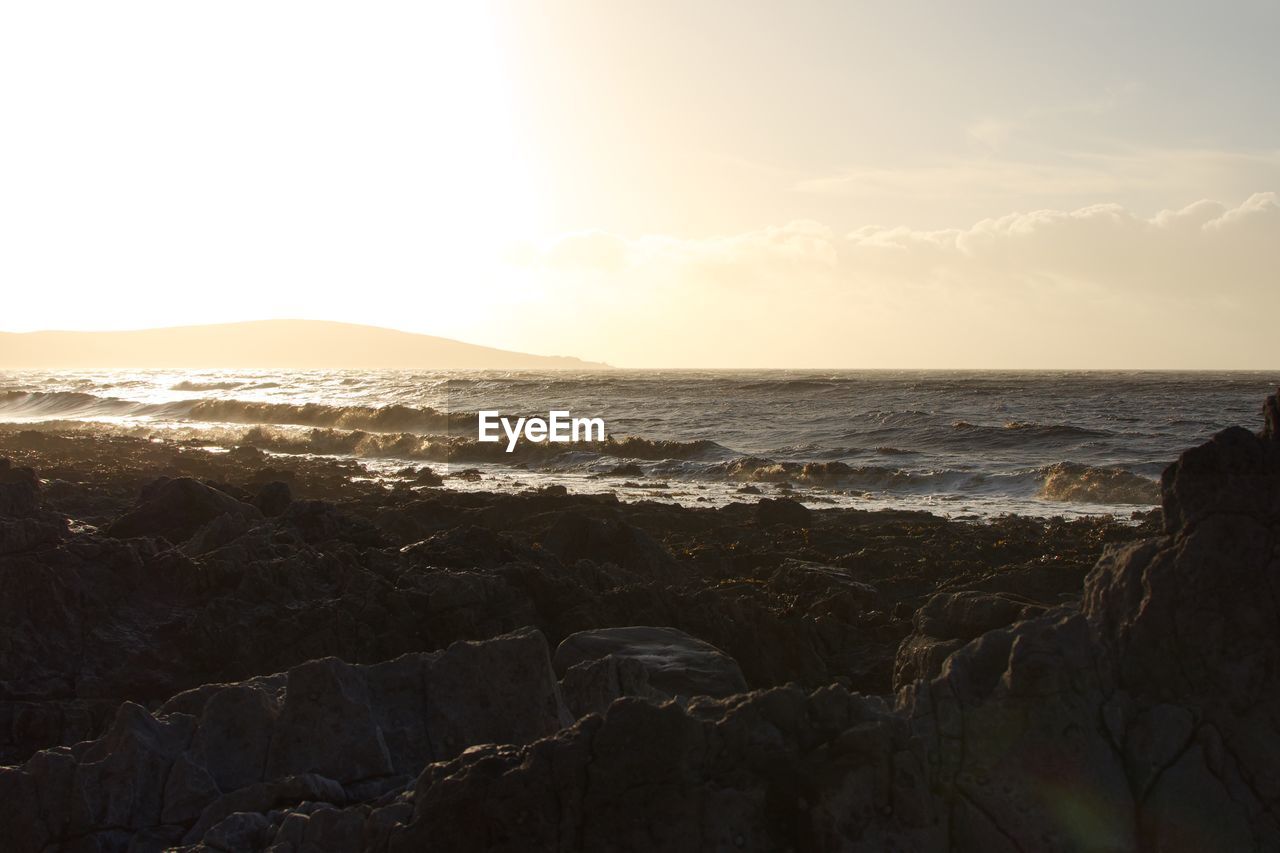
(1096,286)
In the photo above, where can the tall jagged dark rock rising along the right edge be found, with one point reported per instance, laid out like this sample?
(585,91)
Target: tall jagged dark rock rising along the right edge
(1174,653)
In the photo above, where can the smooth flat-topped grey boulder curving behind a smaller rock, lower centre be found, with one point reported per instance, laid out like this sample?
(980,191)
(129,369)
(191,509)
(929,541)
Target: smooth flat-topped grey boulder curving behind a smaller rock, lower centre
(678,665)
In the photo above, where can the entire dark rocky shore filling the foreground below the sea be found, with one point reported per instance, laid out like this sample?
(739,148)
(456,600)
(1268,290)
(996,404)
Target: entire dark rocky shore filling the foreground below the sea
(239,651)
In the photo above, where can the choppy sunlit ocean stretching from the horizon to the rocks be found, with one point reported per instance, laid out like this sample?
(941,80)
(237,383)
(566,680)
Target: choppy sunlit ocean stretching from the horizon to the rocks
(958,444)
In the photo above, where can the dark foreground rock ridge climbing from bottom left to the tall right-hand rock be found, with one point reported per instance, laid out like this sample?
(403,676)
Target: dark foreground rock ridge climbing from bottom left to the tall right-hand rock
(1144,719)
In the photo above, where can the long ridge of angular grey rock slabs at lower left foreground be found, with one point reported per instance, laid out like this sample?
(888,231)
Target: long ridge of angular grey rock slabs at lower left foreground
(218,758)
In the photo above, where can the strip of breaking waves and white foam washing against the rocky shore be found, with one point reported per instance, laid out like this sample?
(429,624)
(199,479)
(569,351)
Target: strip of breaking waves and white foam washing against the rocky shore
(676,472)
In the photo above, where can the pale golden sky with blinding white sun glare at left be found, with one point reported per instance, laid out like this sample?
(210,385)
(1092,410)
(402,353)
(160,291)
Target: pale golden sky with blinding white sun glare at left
(669,184)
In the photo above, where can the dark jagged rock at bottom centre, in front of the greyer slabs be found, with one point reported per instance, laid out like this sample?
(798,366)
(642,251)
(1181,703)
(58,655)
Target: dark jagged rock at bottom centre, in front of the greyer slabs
(762,772)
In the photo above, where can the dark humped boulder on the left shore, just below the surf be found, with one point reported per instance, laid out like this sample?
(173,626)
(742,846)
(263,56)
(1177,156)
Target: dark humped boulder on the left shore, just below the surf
(176,509)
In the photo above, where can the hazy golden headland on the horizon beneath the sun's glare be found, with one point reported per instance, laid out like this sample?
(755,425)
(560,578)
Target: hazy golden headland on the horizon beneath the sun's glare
(264,344)
